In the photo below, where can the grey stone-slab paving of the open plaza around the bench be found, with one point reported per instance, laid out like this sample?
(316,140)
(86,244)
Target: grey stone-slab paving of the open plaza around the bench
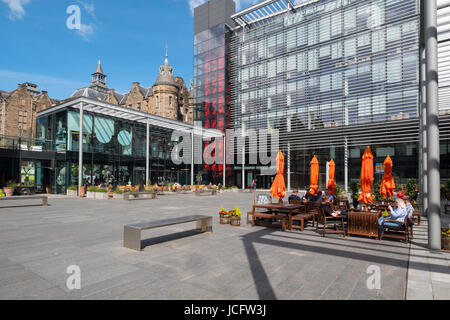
(37,244)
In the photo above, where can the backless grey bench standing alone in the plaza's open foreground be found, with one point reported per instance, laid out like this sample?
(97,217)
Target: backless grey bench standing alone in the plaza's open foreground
(132,232)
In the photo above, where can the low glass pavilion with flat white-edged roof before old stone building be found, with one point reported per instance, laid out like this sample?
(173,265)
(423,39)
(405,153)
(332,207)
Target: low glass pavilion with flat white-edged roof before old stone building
(119,146)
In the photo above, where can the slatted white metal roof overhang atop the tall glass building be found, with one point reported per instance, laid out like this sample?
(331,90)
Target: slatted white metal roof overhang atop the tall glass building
(267,9)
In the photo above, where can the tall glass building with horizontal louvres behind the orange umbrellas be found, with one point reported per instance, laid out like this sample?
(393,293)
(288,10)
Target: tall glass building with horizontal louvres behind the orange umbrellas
(333,76)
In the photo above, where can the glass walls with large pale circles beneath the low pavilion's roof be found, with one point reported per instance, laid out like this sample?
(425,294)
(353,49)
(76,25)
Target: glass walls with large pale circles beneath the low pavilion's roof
(114,151)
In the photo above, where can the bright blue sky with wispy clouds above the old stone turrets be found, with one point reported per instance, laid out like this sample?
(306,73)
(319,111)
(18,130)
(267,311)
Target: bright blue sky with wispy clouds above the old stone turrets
(129,37)
